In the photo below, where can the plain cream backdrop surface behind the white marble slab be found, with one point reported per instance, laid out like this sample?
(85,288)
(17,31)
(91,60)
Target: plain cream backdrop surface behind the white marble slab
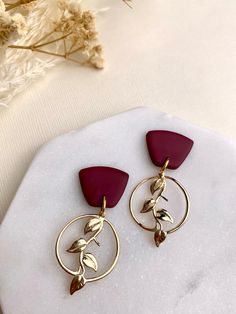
(175,56)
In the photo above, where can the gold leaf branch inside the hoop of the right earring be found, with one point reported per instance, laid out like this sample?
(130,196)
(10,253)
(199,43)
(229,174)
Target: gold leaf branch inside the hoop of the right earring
(150,205)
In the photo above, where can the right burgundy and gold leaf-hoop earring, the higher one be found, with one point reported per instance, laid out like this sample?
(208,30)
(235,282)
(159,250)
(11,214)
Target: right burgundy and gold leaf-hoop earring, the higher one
(167,150)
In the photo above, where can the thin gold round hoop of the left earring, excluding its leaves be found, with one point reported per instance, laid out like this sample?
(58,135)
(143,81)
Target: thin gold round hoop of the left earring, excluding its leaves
(77,272)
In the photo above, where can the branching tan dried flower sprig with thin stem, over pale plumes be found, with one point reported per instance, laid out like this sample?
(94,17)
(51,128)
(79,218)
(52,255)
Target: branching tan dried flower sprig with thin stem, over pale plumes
(72,35)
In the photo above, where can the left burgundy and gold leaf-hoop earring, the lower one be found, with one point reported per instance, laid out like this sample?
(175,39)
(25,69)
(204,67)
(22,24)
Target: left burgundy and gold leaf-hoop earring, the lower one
(102,187)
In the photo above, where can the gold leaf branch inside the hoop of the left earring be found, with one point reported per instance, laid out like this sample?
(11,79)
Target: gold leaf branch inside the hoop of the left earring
(86,259)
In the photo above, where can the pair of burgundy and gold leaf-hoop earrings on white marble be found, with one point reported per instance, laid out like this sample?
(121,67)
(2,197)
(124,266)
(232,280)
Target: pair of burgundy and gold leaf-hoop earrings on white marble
(104,186)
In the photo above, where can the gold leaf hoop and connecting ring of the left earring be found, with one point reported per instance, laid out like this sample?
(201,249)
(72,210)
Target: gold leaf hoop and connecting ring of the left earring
(95,224)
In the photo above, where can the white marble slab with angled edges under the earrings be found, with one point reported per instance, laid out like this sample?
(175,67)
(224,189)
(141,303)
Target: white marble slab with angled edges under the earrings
(193,272)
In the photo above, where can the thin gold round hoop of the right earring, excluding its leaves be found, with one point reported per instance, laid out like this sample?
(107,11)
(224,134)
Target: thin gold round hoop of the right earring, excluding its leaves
(154,229)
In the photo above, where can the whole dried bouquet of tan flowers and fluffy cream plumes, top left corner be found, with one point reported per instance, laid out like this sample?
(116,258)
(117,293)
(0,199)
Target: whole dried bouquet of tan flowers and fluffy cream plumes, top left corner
(36,34)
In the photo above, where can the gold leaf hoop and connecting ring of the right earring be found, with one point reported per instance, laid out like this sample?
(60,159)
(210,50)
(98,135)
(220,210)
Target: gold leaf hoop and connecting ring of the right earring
(151,204)
